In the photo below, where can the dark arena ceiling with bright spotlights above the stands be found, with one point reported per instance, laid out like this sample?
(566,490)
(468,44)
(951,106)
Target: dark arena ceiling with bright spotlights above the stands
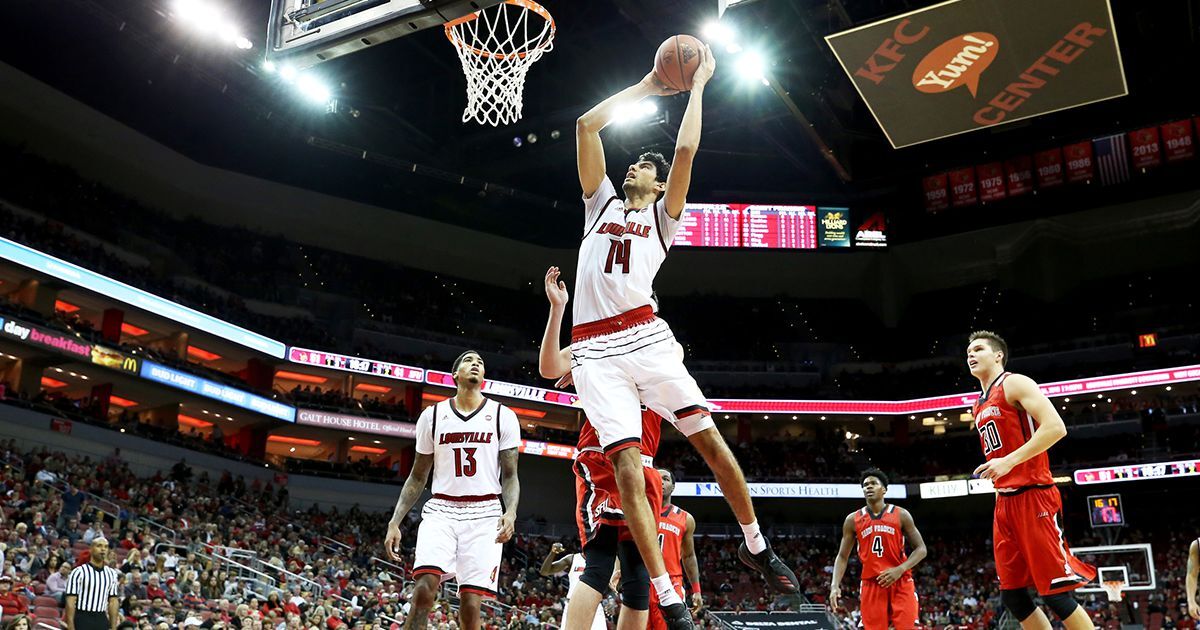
(403,100)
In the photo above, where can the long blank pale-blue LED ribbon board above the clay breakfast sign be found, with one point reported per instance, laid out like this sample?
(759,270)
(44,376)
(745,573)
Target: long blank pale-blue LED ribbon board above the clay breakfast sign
(134,297)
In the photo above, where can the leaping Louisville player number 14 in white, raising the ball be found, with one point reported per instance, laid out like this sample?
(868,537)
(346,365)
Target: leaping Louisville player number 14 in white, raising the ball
(622,355)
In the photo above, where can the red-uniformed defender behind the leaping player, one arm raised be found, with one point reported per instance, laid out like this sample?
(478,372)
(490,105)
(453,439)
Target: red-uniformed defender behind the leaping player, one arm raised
(601,513)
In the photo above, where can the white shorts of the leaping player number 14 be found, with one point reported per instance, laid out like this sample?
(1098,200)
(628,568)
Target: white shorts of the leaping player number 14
(619,373)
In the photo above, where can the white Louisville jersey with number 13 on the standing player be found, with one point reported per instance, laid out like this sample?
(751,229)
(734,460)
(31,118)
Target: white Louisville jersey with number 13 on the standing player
(467,448)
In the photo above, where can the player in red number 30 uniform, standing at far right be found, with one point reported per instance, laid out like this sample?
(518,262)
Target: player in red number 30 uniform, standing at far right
(1017,427)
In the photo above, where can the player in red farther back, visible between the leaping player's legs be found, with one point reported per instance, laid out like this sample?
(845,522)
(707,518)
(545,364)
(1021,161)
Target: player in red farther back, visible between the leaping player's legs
(676,531)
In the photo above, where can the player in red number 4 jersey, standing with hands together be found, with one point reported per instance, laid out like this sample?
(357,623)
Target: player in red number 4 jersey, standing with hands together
(889,596)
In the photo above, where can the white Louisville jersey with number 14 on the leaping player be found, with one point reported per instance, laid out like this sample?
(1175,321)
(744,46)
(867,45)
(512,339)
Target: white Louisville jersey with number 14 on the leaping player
(621,255)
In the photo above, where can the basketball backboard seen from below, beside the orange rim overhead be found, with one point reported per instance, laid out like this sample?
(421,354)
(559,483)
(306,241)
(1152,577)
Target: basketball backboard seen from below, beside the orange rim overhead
(305,33)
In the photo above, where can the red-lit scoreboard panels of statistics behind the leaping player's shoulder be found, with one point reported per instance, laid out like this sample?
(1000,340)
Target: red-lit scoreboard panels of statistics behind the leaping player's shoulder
(778,227)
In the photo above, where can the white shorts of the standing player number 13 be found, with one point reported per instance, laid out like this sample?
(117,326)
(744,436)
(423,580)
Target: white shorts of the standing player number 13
(458,541)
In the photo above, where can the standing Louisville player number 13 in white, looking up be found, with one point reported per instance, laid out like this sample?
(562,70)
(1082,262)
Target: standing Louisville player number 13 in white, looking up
(471,445)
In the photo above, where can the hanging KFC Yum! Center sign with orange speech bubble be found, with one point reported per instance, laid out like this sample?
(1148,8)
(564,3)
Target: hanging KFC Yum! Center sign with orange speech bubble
(965,65)
